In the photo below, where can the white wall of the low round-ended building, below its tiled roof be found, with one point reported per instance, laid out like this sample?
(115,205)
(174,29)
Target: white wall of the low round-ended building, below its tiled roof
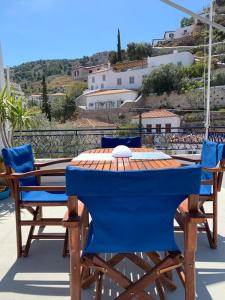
(113,98)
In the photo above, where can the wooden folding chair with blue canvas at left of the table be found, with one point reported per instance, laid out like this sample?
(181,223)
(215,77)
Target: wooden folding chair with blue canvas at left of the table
(23,175)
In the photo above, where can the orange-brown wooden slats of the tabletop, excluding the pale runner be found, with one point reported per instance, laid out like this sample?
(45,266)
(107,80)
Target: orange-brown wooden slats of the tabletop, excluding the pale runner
(125,164)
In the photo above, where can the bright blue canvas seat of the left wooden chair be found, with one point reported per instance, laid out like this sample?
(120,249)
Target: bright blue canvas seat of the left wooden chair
(43,196)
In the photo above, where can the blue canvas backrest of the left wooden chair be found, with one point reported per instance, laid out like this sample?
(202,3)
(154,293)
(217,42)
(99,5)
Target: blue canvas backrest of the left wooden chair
(21,160)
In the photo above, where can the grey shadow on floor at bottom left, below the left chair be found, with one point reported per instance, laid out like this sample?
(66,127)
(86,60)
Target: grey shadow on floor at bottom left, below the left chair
(44,272)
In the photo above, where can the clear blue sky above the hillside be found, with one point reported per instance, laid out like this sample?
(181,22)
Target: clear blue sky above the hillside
(55,29)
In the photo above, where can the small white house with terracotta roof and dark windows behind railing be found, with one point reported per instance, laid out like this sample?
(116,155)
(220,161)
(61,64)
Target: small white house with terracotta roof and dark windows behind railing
(158,121)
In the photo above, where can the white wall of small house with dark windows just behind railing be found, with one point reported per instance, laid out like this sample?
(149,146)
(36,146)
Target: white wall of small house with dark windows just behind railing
(174,121)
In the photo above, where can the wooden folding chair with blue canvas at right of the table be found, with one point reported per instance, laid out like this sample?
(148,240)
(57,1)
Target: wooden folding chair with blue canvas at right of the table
(213,165)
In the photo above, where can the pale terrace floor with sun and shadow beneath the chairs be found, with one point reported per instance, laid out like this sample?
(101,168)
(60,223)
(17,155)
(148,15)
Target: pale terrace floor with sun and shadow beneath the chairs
(45,273)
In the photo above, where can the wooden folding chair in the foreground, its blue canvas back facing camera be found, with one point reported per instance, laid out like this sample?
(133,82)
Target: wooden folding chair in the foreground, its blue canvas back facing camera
(132,211)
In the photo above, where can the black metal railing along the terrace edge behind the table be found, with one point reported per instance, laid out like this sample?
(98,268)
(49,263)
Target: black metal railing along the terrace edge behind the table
(71,142)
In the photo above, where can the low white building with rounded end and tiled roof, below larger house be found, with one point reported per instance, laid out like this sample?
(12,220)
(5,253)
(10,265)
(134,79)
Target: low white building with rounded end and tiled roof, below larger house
(109,99)
